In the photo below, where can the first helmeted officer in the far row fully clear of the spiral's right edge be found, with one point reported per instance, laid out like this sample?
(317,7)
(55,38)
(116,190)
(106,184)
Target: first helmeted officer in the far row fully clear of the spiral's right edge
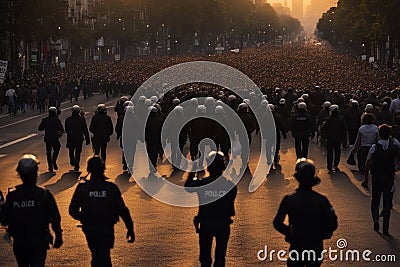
(302,126)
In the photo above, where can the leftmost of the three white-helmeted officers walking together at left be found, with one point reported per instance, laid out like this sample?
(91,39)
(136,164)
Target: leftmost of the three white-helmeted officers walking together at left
(53,130)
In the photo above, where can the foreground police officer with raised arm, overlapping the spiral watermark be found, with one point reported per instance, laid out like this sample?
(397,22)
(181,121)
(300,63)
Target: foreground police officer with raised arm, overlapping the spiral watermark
(214,218)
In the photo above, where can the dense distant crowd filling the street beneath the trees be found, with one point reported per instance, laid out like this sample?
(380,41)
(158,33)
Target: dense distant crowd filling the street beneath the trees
(299,66)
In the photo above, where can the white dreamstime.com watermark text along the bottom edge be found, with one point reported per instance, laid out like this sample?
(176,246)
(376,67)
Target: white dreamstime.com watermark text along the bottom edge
(338,254)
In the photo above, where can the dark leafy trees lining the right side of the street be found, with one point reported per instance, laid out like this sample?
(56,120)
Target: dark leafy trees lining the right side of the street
(364,26)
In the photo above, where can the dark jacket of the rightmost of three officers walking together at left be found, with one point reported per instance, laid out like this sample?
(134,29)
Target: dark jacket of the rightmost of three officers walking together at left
(102,128)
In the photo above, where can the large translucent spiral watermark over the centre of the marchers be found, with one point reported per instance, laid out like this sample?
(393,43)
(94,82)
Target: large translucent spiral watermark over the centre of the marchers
(207,73)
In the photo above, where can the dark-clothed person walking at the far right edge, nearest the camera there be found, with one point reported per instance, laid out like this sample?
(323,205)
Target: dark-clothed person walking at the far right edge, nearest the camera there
(381,162)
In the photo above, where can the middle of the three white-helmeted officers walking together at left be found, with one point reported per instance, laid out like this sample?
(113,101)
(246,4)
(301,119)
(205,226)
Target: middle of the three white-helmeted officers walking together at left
(76,129)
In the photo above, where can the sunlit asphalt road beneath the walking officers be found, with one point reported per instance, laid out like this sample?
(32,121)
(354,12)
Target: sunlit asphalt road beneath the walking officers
(165,235)
